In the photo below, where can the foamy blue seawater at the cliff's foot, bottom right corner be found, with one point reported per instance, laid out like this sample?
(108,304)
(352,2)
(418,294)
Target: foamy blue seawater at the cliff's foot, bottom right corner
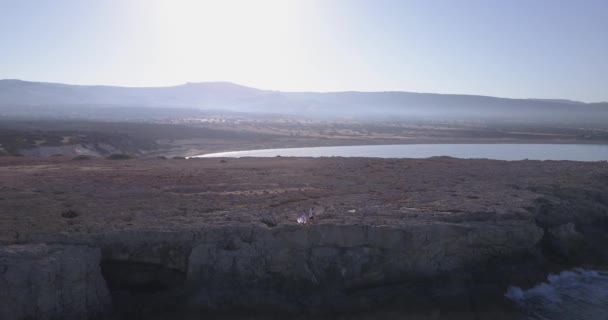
(576,294)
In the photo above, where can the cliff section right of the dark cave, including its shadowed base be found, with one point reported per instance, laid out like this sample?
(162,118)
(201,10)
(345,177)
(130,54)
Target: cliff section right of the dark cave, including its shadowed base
(322,267)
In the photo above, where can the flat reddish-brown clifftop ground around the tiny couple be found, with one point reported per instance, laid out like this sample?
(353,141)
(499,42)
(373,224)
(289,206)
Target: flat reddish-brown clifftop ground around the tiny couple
(89,196)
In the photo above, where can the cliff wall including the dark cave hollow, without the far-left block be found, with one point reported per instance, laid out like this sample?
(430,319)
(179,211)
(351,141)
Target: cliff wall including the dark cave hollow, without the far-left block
(295,268)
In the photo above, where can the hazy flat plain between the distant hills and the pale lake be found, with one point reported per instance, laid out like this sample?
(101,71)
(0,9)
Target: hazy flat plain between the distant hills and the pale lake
(196,136)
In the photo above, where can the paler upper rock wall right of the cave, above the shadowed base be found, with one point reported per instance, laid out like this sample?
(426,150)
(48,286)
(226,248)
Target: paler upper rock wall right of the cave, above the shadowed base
(351,254)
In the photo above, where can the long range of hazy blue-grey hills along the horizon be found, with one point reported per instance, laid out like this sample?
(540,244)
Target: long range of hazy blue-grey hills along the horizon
(17,97)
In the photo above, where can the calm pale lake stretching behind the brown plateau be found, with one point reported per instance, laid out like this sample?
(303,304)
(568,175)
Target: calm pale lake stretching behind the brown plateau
(575,152)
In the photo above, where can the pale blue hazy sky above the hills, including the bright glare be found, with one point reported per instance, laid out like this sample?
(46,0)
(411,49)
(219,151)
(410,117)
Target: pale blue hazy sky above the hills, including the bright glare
(509,48)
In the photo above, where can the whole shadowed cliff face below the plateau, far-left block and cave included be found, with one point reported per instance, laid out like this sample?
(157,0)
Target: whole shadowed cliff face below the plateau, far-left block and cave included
(288,268)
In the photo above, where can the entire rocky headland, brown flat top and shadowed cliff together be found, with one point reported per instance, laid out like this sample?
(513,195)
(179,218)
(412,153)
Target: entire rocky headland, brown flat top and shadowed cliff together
(220,234)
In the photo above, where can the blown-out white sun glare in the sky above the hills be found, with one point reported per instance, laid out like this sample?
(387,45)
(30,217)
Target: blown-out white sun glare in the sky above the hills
(225,38)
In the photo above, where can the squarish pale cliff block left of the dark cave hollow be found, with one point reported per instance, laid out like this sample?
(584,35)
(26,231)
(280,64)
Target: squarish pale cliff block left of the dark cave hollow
(51,282)
